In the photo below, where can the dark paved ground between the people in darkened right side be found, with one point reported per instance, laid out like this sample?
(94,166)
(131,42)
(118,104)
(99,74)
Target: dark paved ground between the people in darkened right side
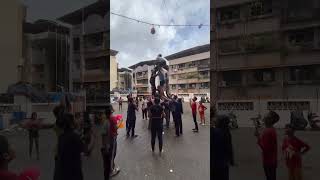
(248,156)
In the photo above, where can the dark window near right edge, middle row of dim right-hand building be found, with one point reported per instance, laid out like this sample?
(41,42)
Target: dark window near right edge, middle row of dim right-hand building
(301,37)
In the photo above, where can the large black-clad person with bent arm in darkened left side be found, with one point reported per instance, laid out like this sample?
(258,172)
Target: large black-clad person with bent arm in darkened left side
(70,149)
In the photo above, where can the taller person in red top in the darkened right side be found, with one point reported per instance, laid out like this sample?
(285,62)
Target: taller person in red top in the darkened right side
(267,141)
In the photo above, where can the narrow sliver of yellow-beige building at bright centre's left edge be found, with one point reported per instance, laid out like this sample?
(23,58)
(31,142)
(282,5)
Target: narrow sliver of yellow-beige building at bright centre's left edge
(113,70)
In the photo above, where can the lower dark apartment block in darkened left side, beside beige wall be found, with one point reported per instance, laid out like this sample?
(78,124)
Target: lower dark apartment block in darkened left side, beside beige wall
(46,51)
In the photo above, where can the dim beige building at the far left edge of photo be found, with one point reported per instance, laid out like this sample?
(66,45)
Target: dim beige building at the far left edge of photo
(12,16)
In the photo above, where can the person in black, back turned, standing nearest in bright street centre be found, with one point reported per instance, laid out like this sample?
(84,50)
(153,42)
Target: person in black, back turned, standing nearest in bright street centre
(157,114)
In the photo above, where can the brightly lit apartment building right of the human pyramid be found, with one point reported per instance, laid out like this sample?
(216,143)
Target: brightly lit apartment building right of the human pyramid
(189,72)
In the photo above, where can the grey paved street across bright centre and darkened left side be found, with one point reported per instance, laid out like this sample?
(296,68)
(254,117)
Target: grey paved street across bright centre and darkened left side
(185,158)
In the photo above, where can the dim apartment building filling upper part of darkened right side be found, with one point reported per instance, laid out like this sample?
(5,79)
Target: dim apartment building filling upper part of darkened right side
(266,54)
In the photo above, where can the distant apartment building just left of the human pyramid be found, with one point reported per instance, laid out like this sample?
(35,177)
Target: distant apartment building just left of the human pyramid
(141,76)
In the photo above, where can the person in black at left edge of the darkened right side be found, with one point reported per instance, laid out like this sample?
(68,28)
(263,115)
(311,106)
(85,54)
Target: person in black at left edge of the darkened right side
(223,151)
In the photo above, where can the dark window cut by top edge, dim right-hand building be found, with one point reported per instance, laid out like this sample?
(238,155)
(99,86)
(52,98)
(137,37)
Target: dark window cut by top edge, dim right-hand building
(261,7)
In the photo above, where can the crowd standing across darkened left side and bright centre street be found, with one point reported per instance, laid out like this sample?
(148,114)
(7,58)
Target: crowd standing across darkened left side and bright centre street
(77,136)
